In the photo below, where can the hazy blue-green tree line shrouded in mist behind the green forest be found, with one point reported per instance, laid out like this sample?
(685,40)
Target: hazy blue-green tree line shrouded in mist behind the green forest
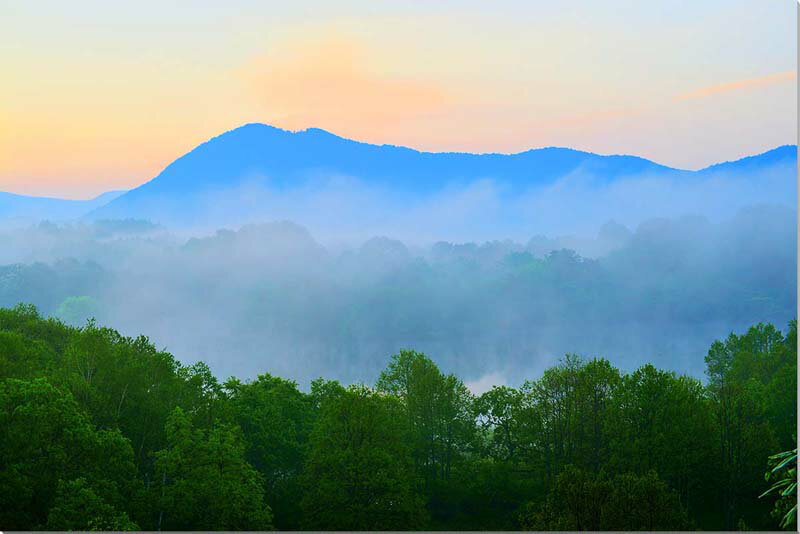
(247,300)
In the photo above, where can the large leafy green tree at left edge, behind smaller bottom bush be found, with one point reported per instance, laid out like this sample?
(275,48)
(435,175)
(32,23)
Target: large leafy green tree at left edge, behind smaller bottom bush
(46,440)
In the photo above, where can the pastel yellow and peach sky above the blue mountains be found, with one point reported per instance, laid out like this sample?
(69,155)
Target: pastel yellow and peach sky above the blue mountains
(98,96)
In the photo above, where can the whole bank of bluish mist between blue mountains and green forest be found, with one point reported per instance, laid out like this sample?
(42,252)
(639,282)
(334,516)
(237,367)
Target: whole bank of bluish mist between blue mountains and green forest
(622,271)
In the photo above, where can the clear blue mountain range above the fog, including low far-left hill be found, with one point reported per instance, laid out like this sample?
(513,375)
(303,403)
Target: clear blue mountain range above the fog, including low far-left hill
(258,157)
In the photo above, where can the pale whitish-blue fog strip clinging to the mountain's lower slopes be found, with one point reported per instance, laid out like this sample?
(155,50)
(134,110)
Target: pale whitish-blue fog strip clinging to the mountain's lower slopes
(340,209)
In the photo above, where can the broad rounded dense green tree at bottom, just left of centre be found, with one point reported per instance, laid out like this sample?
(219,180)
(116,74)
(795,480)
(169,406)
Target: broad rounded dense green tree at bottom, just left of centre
(359,474)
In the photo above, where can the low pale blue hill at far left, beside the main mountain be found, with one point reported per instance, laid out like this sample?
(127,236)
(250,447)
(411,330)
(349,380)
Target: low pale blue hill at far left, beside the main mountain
(26,209)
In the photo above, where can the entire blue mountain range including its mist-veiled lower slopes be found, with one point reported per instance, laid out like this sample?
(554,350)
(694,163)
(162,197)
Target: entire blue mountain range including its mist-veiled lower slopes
(258,172)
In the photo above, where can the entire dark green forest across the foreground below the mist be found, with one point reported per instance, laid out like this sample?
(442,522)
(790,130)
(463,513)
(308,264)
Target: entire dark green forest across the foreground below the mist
(106,432)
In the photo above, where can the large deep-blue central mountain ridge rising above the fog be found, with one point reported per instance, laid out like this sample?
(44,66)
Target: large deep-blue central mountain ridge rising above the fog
(286,157)
